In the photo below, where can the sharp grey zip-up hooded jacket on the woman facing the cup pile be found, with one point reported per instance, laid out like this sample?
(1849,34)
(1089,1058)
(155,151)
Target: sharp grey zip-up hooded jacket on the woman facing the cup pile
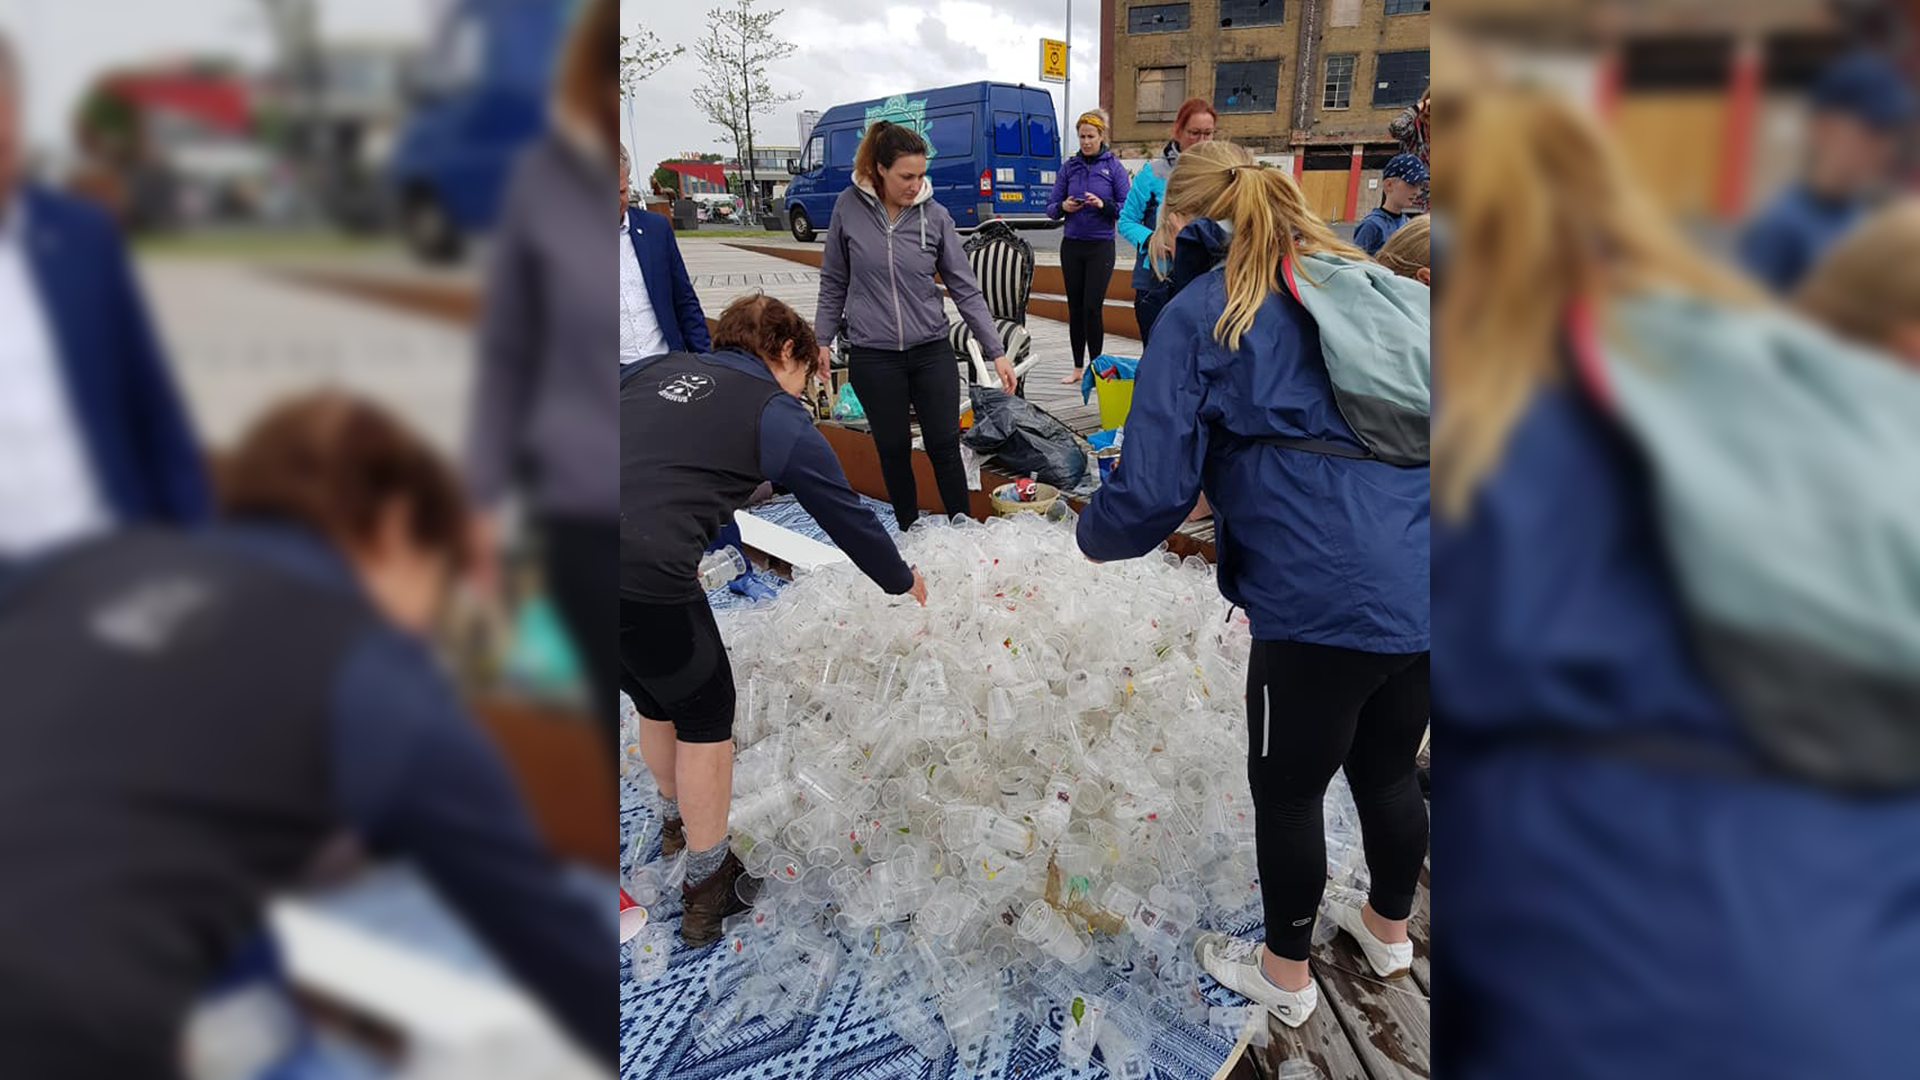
(876,276)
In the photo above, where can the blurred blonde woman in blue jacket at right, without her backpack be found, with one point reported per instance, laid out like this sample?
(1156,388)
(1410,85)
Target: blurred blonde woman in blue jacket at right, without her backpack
(1633,891)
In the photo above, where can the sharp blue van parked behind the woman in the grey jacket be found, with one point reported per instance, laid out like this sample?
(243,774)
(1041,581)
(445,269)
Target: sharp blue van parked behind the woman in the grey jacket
(992,153)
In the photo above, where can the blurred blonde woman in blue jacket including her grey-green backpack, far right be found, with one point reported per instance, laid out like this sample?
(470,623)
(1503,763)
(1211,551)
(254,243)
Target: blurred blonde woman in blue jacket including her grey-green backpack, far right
(1650,873)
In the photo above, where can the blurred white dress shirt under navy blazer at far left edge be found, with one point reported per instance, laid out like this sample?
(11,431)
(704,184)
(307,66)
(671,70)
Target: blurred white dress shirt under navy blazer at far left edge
(47,485)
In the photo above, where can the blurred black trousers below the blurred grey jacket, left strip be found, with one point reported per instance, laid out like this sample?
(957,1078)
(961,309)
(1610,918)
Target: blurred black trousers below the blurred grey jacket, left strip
(581,560)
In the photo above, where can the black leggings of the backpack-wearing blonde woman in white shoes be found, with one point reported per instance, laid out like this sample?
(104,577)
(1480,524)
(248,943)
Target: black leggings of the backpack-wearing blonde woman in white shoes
(1312,710)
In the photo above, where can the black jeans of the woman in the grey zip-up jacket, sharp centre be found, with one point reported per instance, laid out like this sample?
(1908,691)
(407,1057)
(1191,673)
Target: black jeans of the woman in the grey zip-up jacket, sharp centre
(928,380)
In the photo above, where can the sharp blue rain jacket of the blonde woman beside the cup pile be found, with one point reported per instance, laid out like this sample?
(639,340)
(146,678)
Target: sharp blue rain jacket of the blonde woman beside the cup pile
(1316,549)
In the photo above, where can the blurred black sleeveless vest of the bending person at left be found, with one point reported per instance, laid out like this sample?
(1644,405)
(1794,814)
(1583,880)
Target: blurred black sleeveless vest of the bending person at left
(164,768)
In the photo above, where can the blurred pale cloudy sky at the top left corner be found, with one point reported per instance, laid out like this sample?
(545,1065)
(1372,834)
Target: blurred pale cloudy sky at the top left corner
(68,43)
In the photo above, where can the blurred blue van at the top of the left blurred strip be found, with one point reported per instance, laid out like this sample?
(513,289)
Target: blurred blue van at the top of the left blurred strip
(479,95)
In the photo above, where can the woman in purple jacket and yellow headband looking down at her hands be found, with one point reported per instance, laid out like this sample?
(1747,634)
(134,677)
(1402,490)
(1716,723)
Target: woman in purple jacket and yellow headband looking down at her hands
(1090,193)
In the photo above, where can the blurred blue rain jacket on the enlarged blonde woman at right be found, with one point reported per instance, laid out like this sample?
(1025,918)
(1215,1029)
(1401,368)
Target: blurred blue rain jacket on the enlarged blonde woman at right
(1618,916)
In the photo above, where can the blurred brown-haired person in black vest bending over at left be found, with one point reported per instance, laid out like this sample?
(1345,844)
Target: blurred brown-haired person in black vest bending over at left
(197,716)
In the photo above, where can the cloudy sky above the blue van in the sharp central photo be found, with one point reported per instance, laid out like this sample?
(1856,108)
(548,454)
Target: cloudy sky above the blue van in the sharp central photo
(859,49)
